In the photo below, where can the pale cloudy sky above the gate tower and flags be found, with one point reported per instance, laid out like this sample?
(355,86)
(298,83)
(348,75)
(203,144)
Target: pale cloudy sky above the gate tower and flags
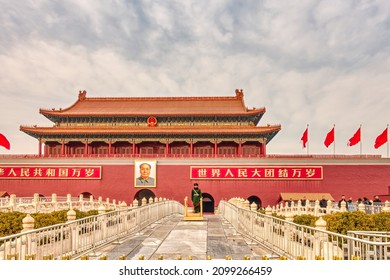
(307,61)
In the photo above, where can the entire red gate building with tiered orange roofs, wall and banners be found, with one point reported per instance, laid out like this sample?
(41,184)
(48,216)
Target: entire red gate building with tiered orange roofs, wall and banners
(99,145)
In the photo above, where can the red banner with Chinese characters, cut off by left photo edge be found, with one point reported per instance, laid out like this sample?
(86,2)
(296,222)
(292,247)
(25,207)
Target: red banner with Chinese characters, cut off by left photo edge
(51,172)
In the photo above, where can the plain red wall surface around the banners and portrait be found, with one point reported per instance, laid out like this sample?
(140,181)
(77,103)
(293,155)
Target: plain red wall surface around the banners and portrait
(173,182)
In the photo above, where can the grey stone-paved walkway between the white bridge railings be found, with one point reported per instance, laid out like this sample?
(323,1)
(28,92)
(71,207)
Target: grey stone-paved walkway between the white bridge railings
(173,237)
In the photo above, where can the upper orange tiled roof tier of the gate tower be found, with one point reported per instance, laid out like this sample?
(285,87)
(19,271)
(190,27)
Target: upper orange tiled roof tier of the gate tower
(155,106)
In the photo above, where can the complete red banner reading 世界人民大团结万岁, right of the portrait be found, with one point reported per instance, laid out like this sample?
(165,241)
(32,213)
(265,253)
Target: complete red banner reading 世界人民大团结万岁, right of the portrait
(257,172)
